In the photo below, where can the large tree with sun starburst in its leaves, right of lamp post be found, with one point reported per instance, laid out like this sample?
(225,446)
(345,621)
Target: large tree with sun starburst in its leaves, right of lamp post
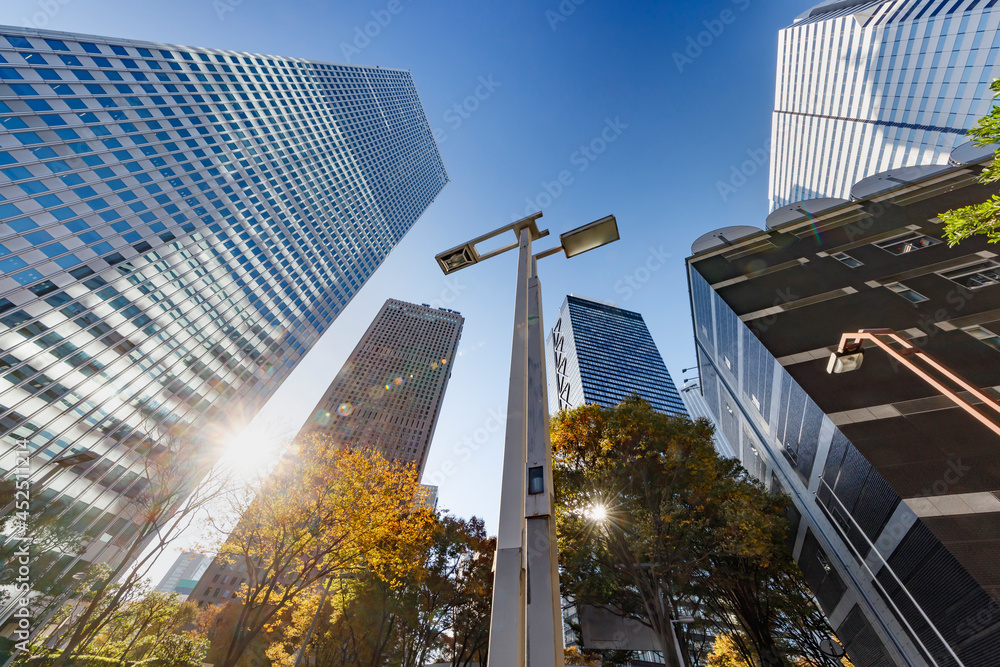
(642,504)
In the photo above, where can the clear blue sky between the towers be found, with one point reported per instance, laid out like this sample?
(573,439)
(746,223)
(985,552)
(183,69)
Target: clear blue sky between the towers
(557,75)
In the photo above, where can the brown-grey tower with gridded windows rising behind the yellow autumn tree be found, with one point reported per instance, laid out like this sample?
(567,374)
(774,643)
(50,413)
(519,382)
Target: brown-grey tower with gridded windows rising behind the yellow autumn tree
(387,396)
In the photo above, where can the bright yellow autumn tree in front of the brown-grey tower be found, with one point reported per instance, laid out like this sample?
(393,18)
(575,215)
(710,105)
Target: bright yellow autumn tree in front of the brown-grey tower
(327,512)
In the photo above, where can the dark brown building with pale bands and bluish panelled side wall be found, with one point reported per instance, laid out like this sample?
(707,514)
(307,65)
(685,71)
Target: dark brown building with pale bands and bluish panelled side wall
(895,488)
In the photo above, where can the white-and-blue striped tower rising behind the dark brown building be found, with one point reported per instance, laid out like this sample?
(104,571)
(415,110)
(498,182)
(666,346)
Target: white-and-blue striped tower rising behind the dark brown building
(869,85)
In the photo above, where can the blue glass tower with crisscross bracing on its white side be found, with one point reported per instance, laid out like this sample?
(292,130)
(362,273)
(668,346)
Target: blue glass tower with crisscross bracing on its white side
(601,354)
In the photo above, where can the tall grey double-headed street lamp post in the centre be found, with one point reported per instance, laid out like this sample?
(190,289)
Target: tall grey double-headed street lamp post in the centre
(527,630)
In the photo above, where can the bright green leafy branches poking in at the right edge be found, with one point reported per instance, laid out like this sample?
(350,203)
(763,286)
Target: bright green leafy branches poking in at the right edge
(984,218)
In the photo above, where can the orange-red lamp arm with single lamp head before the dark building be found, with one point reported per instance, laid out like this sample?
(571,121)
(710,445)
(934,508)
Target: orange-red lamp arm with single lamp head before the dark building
(849,355)
